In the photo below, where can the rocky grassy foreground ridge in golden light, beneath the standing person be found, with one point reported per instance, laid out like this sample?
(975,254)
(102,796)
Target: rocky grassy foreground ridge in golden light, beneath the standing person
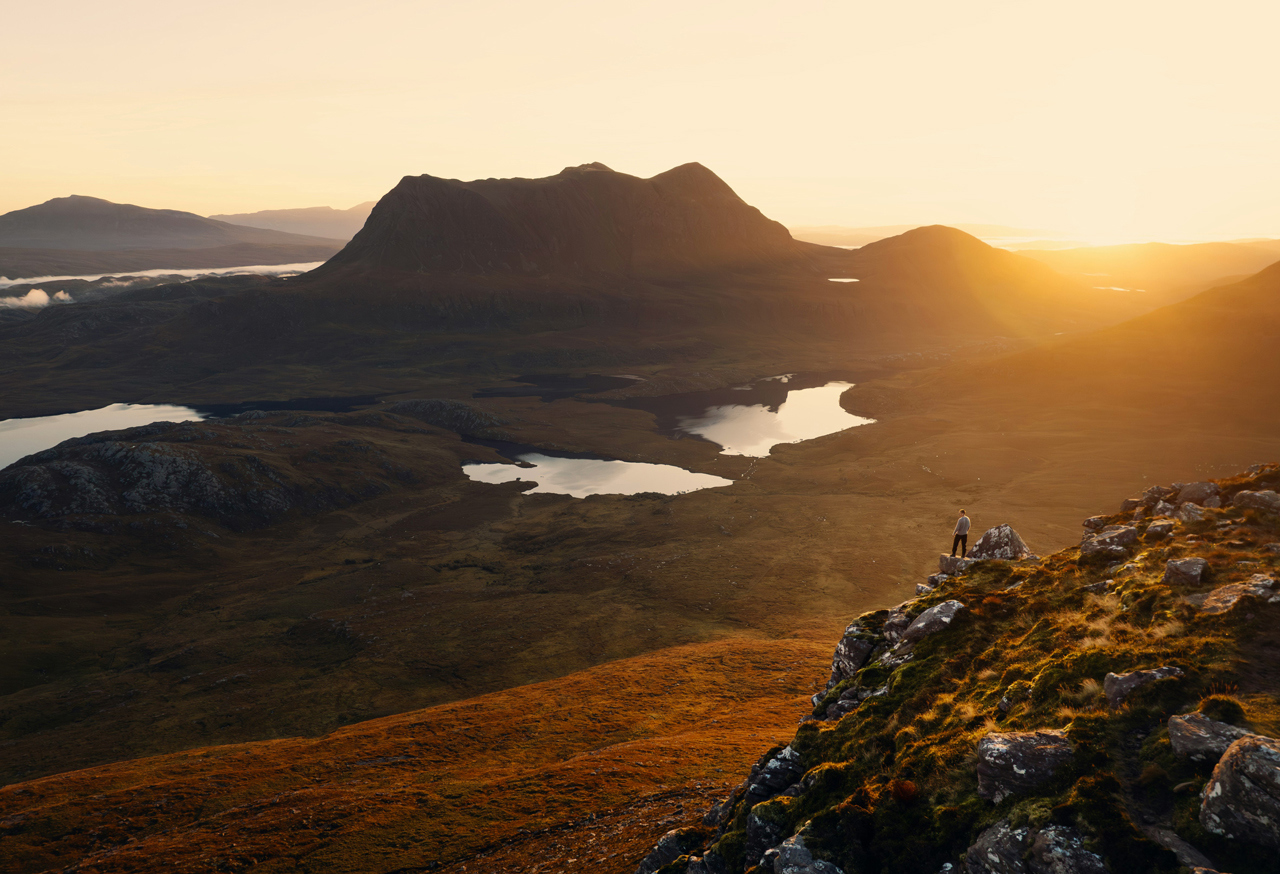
(1110,708)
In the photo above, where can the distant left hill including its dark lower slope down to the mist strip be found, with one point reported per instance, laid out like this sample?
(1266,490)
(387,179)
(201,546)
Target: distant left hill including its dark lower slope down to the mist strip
(81,236)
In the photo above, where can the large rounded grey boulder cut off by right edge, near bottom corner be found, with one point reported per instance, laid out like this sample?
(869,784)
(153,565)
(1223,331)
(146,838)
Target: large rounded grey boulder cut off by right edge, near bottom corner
(1242,799)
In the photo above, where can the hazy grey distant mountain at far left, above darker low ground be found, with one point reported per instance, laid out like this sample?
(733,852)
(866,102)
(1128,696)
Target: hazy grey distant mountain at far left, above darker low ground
(95,225)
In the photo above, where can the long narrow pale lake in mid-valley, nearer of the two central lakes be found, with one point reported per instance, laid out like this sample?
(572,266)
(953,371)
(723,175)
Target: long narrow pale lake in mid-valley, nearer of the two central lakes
(593,477)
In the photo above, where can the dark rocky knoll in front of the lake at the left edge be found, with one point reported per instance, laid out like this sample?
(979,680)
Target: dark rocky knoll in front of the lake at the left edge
(241,473)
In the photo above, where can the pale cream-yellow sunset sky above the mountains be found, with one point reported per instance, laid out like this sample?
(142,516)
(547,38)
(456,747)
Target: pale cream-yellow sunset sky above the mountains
(1099,121)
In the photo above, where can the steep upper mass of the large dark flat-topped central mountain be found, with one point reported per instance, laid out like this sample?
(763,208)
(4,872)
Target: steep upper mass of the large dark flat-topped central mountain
(584,221)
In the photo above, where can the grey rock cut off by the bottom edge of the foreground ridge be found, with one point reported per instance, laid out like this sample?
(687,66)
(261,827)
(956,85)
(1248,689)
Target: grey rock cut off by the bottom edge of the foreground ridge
(1052,850)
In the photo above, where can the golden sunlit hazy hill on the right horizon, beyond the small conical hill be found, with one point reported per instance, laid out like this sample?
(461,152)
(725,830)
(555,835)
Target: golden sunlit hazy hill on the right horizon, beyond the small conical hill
(1163,269)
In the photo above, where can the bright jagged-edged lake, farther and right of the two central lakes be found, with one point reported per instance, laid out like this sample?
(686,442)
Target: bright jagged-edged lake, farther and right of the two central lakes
(807,414)
